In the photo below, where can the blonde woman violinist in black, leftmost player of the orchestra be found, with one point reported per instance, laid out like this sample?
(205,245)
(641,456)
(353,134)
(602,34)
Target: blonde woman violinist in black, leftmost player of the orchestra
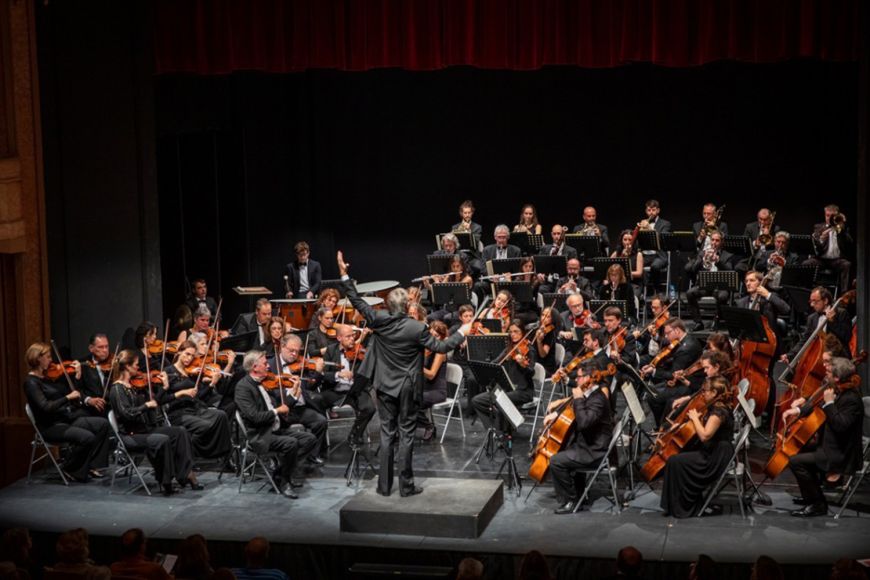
(62,417)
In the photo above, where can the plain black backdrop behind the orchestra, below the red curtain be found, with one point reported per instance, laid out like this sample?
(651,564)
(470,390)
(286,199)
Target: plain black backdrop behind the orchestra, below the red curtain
(376,163)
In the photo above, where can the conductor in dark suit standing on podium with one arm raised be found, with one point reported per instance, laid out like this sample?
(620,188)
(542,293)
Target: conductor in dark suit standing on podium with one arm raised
(394,366)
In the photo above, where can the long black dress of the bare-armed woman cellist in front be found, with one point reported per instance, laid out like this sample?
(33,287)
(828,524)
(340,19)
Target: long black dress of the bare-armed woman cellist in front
(688,474)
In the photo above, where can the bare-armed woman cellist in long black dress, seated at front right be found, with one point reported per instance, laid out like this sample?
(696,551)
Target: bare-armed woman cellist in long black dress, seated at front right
(689,473)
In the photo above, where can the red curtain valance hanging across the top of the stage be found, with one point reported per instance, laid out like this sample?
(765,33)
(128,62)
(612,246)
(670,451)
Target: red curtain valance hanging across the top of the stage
(222,36)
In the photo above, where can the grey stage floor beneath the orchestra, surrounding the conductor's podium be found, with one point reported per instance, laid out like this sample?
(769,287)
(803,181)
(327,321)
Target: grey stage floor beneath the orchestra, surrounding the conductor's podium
(221,513)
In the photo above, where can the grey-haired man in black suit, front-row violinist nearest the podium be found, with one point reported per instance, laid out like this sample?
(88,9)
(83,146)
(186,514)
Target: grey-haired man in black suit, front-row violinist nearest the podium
(263,422)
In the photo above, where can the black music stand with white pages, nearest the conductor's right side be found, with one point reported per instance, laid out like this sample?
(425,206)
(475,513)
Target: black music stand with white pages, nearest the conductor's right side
(494,377)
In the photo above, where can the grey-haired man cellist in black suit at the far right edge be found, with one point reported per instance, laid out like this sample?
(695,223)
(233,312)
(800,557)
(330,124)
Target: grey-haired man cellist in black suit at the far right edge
(839,449)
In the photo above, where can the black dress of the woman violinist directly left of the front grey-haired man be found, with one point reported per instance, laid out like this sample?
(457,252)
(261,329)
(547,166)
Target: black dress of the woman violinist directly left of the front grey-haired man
(209,428)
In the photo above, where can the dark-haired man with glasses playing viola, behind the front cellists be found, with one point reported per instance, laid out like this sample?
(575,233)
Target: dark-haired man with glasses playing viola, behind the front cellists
(687,351)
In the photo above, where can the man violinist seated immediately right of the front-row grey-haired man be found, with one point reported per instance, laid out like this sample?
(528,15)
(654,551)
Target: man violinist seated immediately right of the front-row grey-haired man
(306,404)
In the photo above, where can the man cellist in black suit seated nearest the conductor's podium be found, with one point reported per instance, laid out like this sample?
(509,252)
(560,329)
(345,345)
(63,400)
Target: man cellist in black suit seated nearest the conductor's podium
(593,427)
